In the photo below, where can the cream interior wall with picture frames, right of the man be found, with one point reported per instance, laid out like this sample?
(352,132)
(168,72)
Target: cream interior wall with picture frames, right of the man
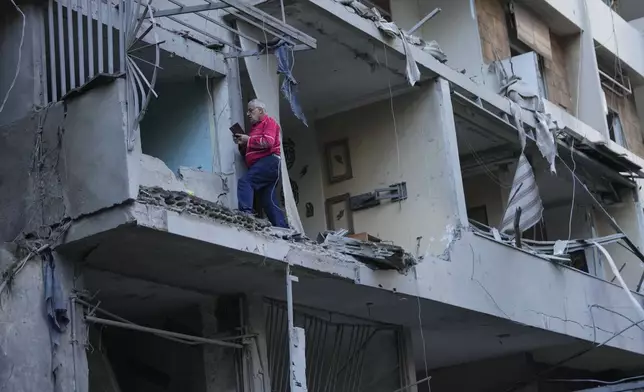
(420,149)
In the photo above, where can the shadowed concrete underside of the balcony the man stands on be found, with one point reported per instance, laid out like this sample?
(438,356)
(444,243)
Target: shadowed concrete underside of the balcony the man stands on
(154,272)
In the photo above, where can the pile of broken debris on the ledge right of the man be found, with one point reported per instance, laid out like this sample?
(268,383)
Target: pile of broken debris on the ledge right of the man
(377,255)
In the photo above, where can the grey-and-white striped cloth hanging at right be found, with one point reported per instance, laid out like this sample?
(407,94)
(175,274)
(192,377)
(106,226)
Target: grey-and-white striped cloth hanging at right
(524,194)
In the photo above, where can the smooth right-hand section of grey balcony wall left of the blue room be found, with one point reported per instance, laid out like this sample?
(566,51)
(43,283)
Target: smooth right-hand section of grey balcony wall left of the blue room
(97,166)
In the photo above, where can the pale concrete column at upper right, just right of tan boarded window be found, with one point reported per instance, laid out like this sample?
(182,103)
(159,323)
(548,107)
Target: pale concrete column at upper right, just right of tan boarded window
(585,86)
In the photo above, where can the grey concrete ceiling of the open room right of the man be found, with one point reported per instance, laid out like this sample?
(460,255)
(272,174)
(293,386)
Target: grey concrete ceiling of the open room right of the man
(346,70)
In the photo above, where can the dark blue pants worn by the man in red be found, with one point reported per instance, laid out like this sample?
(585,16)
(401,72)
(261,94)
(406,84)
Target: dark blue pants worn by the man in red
(262,177)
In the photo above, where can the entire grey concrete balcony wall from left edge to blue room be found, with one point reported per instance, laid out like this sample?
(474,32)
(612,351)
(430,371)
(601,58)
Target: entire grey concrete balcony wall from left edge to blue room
(65,162)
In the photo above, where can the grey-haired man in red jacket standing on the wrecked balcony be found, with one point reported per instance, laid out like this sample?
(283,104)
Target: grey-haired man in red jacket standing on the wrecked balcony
(261,149)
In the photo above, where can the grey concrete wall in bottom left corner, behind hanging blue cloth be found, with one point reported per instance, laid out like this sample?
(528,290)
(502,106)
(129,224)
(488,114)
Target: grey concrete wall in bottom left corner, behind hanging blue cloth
(28,362)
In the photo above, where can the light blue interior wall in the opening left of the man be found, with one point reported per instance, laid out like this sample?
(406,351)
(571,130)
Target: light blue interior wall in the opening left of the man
(176,127)
